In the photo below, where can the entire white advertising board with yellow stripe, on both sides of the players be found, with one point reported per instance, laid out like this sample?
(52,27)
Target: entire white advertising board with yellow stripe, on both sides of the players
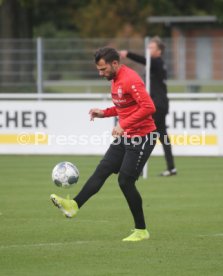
(64,127)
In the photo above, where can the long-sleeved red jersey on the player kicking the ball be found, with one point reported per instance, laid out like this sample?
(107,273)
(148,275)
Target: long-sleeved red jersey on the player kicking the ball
(133,105)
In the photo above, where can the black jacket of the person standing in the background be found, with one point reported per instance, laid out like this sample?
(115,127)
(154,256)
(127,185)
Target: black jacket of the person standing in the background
(158,76)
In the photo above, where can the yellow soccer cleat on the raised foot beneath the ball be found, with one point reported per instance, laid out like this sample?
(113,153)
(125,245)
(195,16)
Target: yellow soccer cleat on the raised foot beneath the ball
(68,207)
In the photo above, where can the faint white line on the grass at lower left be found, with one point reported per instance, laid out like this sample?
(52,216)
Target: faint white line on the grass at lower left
(42,244)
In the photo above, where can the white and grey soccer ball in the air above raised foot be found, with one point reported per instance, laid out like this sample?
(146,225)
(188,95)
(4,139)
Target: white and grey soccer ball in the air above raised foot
(65,174)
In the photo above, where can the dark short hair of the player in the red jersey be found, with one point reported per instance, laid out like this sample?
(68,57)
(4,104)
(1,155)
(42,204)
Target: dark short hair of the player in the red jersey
(106,53)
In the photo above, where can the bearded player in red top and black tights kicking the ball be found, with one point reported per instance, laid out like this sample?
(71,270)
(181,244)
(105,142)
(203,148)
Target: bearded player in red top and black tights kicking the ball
(134,140)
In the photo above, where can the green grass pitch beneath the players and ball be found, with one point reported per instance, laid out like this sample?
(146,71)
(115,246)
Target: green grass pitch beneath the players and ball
(184,216)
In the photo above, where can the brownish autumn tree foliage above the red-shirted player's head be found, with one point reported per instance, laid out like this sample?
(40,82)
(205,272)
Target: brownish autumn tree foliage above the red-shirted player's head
(105,18)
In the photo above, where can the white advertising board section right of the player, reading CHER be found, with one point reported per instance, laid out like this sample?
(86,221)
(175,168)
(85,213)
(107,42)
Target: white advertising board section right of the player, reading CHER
(195,128)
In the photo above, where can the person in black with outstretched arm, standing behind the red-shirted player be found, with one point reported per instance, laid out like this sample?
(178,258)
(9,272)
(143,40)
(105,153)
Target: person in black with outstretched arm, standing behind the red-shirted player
(158,92)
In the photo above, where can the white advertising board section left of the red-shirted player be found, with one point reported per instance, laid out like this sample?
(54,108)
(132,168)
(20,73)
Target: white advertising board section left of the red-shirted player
(53,127)
